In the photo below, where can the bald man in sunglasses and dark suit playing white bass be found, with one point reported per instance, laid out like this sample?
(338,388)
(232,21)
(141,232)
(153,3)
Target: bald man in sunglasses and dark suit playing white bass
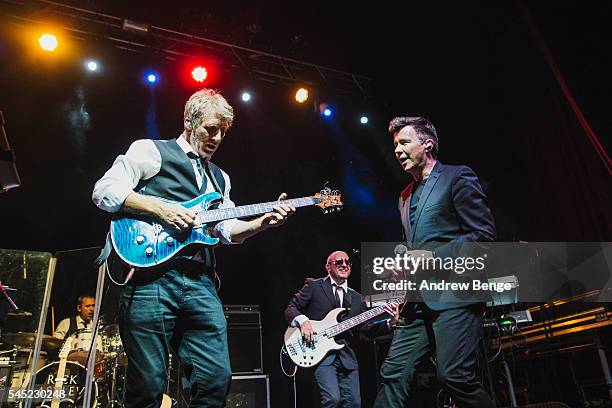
(337,374)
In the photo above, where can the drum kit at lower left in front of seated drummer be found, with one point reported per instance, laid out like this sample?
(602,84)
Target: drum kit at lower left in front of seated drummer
(109,371)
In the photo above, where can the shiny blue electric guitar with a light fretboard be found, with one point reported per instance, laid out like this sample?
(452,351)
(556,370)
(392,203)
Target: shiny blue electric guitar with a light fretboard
(142,242)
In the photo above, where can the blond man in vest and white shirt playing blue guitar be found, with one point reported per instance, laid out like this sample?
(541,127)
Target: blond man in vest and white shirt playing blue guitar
(176,305)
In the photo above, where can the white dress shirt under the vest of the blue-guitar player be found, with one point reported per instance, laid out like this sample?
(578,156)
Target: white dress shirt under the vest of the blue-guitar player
(143,161)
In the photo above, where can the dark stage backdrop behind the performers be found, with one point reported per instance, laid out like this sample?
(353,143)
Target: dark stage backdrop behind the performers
(473,69)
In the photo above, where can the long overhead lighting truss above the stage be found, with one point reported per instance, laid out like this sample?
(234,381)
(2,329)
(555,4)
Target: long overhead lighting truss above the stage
(174,45)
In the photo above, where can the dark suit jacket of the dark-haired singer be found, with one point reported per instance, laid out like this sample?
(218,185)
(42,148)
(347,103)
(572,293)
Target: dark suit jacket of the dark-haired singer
(451,212)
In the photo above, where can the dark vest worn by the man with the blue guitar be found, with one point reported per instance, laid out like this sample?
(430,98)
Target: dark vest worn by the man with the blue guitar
(176,181)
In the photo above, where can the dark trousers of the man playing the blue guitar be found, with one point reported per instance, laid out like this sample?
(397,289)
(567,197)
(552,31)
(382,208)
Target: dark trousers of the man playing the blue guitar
(179,312)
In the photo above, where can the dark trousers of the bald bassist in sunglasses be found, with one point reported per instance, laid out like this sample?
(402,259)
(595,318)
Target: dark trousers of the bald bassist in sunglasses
(338,386)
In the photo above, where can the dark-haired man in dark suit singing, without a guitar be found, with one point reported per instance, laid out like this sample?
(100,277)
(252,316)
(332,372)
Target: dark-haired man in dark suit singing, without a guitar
(441,210)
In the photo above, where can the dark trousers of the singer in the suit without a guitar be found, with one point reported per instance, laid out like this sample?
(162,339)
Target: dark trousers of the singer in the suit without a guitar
(453,335)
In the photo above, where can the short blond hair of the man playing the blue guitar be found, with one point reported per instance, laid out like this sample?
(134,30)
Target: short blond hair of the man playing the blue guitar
(207,101)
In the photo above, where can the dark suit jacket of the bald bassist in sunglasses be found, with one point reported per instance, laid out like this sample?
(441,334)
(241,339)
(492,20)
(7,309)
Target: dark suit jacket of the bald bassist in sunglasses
(316,299)
